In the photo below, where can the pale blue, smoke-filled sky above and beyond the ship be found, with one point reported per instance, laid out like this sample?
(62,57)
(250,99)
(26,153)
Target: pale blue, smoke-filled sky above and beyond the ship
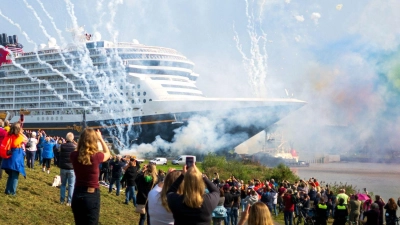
(341,57)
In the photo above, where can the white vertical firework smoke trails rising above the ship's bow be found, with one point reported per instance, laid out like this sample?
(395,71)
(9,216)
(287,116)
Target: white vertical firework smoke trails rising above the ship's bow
(256,64)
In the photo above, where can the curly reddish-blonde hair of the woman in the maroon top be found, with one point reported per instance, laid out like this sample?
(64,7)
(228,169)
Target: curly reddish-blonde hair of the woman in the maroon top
(87,146)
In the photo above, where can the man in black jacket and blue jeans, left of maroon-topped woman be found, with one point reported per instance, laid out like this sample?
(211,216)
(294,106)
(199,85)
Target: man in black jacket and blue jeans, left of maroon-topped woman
(66,169)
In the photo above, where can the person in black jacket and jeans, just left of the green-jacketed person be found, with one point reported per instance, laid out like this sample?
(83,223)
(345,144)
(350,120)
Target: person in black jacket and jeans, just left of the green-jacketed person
(129,177)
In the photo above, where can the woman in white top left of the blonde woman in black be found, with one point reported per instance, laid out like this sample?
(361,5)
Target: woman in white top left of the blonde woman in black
(159,212)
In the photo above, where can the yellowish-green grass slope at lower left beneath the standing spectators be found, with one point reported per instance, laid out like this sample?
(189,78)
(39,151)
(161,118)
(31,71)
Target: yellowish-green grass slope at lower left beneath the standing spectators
(37,202)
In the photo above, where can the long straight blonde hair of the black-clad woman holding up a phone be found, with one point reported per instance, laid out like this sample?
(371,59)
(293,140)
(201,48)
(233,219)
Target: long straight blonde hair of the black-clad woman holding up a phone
(193,188)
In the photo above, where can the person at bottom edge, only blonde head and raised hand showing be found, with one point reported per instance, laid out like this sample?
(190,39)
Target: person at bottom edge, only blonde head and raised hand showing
(258,214)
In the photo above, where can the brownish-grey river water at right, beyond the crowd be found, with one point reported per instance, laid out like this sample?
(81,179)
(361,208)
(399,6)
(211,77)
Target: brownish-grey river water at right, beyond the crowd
(382,179)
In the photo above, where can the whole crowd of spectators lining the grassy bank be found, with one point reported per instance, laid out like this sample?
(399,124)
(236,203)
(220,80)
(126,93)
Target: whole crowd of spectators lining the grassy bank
(184,196)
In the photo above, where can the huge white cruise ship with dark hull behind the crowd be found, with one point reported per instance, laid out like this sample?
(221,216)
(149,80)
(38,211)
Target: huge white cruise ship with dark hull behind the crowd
(127,89)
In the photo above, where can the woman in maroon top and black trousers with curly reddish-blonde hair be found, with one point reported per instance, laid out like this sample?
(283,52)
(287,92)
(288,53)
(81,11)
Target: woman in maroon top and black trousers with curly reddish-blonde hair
(86,160)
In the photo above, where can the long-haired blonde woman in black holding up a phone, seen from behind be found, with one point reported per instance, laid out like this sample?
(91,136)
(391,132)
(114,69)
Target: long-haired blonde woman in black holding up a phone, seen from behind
(193,204)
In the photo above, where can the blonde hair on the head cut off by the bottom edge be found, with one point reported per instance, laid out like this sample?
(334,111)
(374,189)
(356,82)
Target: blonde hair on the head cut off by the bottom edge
(259,215)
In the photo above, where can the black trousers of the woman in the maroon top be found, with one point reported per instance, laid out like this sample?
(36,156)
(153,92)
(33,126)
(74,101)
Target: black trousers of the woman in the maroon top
(86,206)
